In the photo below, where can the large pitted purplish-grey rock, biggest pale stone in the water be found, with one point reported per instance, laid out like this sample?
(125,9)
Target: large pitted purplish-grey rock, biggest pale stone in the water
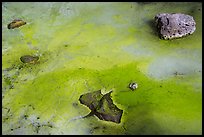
(174,25)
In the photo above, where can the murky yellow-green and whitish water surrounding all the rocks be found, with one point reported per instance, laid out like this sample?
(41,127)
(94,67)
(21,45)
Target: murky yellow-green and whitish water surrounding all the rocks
(84,47)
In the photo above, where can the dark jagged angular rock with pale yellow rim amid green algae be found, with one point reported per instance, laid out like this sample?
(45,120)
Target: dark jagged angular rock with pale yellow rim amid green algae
(101,106)
